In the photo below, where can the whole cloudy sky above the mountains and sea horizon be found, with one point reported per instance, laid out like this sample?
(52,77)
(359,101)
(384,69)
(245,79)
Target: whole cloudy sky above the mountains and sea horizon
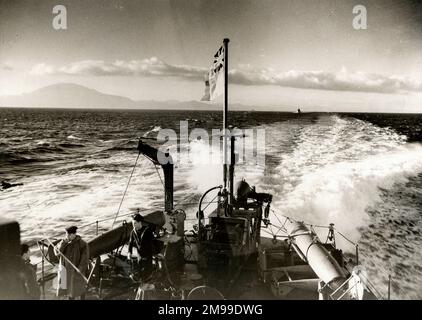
(282,52)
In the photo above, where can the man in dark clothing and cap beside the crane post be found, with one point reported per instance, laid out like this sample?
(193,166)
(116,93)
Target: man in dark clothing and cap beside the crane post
(142,237)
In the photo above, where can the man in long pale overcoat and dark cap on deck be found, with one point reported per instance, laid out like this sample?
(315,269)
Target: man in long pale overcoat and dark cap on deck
(77,253)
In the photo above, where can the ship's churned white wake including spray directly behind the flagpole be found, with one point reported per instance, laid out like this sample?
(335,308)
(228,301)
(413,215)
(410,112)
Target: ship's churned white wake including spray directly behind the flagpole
(331,171)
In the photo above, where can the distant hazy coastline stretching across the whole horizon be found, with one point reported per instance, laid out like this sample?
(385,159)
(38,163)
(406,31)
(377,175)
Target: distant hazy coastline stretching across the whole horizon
(73,96)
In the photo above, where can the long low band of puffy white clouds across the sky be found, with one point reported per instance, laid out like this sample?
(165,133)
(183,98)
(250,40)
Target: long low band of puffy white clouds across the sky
(244,75)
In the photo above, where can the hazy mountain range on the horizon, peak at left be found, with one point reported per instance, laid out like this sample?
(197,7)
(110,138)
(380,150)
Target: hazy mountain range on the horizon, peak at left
(69,95)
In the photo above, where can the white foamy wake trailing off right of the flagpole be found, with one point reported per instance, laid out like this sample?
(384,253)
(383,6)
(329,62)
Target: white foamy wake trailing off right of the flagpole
(337,168)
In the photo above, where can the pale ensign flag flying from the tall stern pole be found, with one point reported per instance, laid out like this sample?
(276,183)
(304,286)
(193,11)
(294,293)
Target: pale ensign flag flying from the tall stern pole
(214,80)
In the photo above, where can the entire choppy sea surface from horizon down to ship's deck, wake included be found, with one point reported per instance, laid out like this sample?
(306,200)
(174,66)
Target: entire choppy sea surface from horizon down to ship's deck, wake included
(362,172)
